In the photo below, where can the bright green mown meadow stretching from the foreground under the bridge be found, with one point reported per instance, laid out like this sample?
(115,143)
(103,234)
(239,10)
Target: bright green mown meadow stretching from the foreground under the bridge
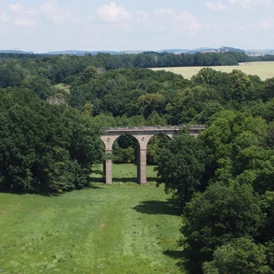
(119,228)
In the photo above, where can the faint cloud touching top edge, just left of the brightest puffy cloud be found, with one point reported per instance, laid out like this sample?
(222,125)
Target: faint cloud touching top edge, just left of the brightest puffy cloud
(57,15)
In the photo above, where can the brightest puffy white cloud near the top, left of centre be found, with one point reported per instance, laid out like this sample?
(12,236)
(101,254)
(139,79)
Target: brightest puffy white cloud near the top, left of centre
(113,14)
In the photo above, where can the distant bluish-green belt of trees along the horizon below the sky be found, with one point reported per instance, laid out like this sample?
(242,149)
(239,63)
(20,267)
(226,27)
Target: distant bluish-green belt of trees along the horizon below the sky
(58,68)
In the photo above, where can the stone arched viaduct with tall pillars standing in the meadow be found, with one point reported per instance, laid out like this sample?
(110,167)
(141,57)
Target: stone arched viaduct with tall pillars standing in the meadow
(142,135)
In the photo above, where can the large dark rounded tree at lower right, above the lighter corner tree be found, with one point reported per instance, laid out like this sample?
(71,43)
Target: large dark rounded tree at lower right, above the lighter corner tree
(216,217)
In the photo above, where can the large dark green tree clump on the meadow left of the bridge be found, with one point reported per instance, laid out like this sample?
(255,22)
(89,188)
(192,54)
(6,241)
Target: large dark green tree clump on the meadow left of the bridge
(44,148)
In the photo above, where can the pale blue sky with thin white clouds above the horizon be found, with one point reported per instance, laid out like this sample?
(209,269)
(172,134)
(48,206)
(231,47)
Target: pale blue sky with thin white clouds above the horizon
(51,25)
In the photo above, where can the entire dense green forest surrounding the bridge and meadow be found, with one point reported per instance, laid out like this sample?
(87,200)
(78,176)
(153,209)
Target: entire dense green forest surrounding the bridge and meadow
(223,179)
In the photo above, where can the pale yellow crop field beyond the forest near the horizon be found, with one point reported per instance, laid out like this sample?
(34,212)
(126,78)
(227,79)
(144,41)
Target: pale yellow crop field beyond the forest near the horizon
(263,69)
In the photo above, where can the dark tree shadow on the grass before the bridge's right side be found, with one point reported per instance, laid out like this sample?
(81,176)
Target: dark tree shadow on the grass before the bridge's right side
(169,207)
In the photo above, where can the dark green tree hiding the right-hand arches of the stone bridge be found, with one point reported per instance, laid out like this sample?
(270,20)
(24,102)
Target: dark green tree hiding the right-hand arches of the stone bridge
(181,165)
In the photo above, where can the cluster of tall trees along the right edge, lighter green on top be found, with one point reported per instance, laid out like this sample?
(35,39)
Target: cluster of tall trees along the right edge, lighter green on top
(240,154)
